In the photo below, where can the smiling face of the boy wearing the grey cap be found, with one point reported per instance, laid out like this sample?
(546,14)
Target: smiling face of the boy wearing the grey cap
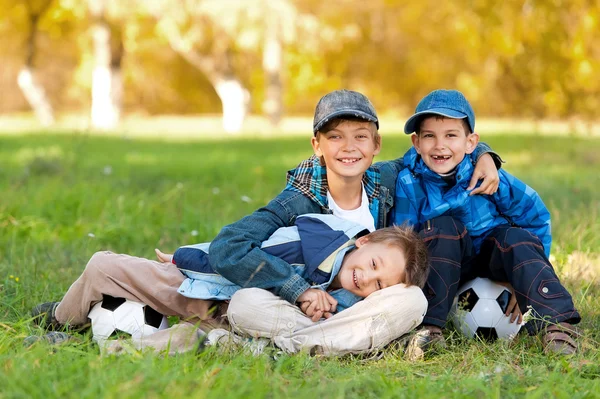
(348,149)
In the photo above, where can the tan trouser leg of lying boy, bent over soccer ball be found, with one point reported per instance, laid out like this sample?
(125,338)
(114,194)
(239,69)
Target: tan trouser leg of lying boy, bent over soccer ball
(147,281)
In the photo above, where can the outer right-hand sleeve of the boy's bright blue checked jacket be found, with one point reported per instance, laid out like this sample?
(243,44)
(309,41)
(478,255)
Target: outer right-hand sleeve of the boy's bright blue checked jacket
(524,207)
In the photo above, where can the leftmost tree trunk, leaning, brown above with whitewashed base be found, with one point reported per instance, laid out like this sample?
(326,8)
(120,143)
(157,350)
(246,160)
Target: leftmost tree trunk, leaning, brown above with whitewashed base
(28,83)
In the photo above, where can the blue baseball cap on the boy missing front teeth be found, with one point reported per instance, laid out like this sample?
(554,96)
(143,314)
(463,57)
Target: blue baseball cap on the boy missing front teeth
(448,103)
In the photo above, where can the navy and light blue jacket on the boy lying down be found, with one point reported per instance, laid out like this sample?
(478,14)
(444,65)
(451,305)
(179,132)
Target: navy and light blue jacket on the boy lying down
(315,247)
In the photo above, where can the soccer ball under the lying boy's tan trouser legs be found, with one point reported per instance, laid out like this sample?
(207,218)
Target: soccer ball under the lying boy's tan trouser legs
(119,316)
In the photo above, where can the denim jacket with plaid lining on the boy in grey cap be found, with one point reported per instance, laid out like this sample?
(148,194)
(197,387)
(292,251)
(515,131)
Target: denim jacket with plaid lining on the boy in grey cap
(236,252)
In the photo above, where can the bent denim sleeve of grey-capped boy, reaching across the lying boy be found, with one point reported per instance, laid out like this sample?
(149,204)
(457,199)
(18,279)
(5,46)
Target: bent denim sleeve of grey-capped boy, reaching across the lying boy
(236,254)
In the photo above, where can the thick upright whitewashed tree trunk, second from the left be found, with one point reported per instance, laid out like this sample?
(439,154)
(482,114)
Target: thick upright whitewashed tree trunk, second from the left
(107,85)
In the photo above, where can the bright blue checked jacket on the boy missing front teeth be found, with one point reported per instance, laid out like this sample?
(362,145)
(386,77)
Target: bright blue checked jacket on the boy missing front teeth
(422,194)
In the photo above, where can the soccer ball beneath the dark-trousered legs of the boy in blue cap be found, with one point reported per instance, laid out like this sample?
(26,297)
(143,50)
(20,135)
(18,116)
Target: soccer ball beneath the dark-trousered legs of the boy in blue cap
(478,310)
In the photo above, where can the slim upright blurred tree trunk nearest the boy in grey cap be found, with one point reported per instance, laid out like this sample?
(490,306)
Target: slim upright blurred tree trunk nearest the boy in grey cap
(273,105)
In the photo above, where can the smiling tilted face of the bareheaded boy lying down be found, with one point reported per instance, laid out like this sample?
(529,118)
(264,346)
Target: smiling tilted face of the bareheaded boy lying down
(371,267)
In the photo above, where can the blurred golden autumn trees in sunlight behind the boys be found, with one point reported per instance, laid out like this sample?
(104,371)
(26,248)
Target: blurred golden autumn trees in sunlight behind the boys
(254,65)
